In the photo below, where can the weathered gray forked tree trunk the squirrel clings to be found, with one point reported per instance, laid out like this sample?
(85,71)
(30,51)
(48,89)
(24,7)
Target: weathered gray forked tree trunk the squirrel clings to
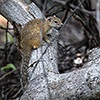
(80,84)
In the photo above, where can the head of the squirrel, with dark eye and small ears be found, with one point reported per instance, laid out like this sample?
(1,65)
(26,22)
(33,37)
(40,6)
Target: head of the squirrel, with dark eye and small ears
(54,22)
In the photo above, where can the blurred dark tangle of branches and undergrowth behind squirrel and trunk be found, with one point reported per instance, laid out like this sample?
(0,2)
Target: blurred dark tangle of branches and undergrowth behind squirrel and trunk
(80,34)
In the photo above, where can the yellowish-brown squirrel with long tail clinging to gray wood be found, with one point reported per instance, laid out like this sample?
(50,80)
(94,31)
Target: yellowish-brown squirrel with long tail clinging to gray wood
(30,37)
